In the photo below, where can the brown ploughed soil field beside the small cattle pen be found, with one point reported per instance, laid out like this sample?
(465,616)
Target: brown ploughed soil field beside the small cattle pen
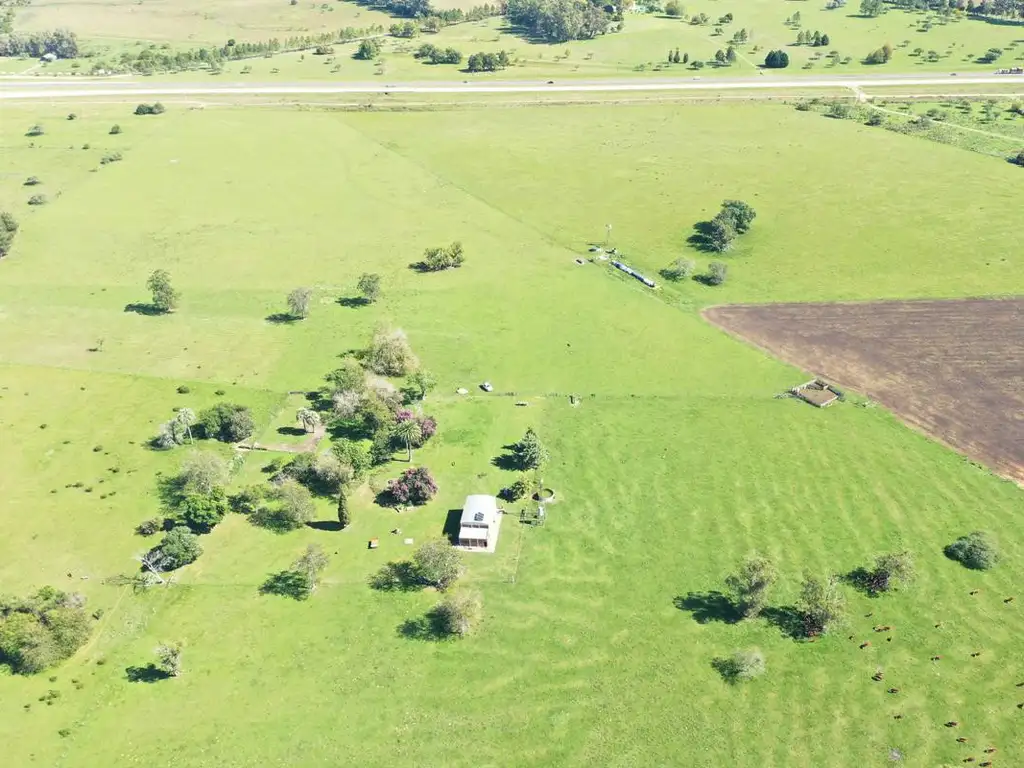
(954,369)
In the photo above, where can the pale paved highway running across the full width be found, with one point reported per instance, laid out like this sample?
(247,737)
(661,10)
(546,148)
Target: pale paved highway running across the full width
(68,89)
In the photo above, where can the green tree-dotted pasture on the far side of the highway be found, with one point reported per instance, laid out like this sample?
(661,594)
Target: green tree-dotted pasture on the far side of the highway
(641,50)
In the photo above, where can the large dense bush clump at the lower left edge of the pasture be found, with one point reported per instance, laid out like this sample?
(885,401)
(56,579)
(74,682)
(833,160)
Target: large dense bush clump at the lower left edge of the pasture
(41,630)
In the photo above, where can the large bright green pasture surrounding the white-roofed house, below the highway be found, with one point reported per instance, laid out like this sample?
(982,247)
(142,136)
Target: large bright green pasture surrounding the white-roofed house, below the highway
(677,463)
